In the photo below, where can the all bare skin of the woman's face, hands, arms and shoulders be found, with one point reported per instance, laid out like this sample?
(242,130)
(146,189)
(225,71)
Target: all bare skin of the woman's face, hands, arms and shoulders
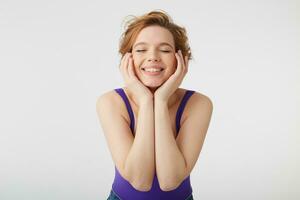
(154,146)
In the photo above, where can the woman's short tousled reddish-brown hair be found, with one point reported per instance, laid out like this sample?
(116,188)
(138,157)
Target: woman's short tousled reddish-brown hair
(156,17)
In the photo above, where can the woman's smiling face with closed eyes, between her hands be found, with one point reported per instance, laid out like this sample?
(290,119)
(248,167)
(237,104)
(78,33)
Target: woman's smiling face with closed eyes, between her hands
(154,56)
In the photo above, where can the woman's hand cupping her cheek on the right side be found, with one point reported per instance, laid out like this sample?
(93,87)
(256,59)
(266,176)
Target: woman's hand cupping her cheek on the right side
(164,92)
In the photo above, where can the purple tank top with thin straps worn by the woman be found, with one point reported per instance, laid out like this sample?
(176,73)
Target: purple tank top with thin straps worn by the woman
(124,189)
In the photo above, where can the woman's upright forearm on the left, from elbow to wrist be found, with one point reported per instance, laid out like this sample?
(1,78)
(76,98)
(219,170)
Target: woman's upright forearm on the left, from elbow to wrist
(139,163)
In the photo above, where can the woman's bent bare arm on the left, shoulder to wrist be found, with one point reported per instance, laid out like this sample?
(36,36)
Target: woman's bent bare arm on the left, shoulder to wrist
(134,157)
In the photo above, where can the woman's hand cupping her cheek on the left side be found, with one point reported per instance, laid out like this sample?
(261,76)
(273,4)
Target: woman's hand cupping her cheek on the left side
(132,83)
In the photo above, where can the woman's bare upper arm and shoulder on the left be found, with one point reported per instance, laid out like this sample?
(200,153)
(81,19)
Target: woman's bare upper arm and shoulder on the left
(115,127)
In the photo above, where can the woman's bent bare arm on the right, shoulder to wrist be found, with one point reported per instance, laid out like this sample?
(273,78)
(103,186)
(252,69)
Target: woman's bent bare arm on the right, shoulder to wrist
(175,158)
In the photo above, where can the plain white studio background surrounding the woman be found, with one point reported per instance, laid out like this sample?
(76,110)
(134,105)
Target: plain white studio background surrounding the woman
(57,57)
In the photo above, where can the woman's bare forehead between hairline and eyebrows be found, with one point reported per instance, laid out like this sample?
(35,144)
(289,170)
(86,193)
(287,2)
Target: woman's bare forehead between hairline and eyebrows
(154,35)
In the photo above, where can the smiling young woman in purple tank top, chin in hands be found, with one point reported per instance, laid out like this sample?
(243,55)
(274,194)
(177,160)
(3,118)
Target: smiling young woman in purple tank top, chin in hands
(154,129)
